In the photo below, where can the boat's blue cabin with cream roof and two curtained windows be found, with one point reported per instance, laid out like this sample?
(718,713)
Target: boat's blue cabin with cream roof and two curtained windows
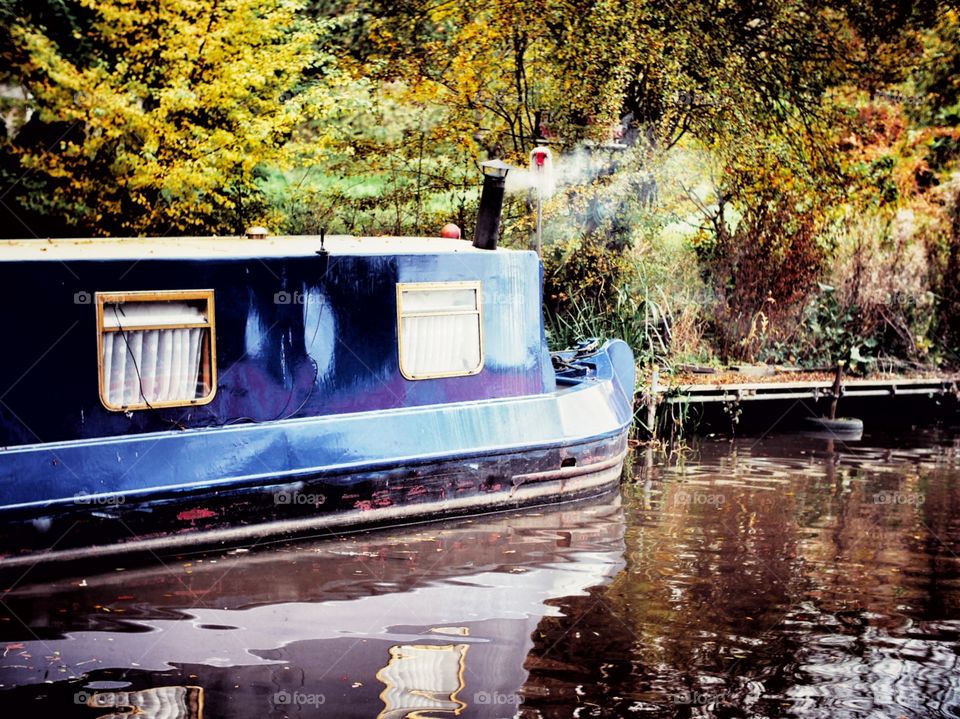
(113,337)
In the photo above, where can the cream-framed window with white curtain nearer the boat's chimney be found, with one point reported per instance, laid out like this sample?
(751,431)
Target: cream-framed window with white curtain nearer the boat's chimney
(440,329)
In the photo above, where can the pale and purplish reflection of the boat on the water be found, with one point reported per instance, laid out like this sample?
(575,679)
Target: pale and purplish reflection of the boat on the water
(432,621)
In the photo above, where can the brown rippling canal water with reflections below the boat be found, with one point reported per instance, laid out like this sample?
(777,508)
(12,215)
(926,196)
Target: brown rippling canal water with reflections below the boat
(755,577)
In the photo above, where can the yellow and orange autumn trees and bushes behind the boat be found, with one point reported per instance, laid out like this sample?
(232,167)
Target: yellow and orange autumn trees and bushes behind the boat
(721,163)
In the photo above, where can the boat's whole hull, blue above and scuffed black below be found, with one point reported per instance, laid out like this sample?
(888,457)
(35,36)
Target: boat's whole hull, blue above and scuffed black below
(168,491)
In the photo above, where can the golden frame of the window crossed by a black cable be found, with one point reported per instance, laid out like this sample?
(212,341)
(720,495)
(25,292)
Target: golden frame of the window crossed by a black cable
(208,352)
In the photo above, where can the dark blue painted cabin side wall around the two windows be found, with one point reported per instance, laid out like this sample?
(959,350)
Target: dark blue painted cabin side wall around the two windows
(272,358)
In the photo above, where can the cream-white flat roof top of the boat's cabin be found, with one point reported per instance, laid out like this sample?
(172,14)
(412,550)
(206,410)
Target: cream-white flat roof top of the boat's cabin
(170,248)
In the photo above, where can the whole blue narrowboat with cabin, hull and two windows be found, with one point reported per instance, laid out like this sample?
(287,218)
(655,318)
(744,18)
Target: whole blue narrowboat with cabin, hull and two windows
(160,394)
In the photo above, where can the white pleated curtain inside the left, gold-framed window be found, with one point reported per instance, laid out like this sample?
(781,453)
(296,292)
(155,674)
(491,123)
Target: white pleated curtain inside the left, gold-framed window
(154,365)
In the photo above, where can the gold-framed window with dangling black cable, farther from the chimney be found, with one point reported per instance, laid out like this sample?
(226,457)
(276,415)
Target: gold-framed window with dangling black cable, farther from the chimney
(157,349)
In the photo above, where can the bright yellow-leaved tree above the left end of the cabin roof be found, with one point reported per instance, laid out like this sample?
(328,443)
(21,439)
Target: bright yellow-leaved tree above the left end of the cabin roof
(159,120)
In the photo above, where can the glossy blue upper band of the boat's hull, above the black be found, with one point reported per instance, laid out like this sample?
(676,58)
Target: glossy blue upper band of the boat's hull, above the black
(250,454)
